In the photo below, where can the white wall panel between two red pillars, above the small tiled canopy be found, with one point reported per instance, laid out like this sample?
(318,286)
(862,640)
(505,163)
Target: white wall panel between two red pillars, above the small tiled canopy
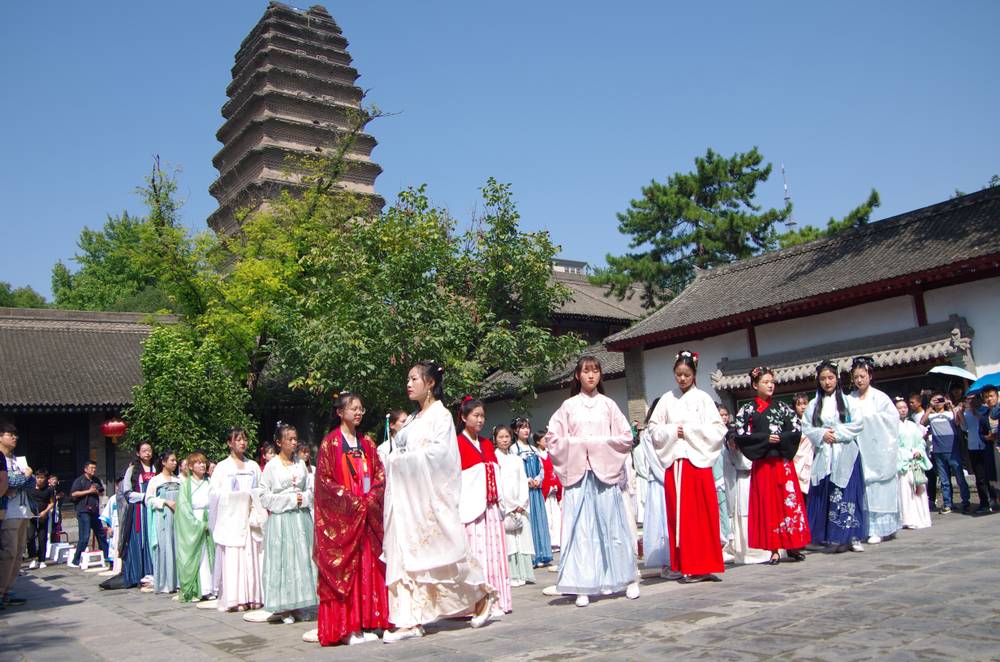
(868,319)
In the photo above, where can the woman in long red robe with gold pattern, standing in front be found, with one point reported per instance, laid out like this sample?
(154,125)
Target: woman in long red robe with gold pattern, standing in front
(350,485)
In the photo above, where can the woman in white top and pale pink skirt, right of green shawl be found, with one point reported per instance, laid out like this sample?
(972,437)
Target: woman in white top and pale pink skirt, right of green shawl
(237,522)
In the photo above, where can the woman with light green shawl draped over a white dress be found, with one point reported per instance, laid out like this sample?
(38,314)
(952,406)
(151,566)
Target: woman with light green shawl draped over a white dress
(195,548)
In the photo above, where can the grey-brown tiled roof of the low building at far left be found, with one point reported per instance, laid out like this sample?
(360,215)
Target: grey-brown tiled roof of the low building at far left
(59,358)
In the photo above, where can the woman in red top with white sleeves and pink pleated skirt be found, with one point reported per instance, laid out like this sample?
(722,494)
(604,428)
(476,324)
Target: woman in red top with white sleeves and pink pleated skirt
(479,508)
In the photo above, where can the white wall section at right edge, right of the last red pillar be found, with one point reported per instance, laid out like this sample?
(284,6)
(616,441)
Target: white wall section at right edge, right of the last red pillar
(979,303)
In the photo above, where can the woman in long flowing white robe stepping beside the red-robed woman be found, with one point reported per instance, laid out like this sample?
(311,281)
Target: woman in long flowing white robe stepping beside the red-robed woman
(429,572)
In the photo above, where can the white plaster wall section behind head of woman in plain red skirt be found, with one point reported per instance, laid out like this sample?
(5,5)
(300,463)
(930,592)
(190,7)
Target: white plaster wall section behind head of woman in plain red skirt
(659,363)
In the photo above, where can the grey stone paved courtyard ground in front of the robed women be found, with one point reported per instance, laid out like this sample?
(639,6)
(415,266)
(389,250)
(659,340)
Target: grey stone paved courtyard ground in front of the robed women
(928,595)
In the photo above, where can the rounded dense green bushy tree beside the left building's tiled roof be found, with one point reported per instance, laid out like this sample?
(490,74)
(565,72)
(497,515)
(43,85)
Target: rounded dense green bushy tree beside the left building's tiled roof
(188,397)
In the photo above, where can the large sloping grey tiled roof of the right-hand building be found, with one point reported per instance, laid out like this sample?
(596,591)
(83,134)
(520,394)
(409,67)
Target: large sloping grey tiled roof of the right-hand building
(949,240)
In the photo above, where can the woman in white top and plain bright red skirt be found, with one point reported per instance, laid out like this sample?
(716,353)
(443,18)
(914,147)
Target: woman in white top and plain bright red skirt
(688,434)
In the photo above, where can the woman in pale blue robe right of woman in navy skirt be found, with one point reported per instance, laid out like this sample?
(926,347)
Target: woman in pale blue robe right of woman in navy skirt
(879,445)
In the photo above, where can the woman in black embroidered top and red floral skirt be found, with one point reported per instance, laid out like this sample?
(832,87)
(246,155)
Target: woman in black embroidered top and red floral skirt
(768,433)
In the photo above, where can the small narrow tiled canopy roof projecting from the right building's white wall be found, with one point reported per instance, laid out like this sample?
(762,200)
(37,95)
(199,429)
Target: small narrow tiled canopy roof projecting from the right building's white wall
(942,340)
